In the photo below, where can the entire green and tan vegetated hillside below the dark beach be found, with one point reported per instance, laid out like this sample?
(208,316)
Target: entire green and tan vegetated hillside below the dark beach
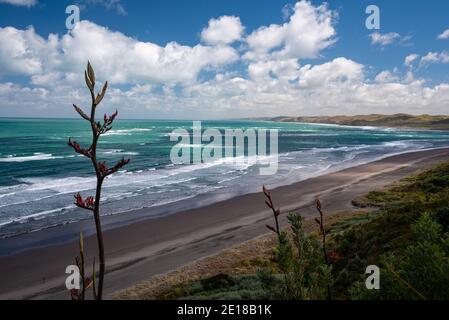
(402,229)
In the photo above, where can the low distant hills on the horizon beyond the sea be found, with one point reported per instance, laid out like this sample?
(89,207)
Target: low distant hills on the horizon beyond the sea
(399,120)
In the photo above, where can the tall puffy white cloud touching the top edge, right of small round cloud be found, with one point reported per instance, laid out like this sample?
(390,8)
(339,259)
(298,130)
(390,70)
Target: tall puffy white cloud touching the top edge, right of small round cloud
(309,30)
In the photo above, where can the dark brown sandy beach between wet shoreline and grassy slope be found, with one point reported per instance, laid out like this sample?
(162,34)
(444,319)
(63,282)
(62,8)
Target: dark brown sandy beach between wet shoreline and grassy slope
(148,247)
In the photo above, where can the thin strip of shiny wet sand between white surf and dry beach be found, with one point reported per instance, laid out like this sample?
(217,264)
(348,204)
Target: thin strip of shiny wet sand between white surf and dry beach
(69,232)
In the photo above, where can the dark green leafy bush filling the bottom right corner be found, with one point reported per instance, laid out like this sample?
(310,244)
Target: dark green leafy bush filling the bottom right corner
(420,272)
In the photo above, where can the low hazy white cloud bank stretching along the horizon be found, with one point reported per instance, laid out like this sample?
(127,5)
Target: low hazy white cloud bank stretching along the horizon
(335,87)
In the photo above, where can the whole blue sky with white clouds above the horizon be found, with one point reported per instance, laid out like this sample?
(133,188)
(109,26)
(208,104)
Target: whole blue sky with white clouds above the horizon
(225,59)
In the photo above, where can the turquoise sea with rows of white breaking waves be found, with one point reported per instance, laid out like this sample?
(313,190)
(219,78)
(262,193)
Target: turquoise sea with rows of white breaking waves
(39,173)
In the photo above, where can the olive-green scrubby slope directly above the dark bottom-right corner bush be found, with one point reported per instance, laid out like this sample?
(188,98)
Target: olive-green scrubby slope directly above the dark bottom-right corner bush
(388,230)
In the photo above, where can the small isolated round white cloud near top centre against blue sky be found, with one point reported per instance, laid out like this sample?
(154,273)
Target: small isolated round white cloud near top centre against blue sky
(224,30)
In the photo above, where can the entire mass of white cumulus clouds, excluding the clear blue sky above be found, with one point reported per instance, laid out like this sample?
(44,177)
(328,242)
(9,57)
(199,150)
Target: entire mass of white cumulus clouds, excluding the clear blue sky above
(168,81)
